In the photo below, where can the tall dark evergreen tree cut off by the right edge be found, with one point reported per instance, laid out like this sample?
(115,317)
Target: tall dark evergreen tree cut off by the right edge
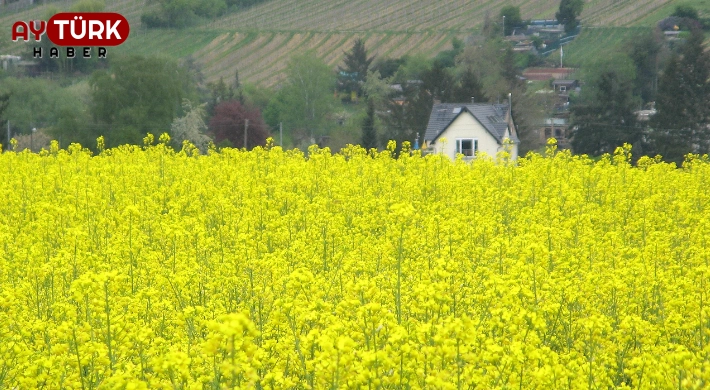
(681,124)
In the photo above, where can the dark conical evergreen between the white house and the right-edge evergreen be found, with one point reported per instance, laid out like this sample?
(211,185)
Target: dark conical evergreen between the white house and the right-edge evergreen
(605,119)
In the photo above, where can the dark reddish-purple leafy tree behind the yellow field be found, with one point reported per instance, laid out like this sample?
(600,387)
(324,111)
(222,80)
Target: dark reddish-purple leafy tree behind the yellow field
(230,121)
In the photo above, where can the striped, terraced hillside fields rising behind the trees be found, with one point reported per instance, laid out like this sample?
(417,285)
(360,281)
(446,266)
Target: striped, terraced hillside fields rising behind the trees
(259,41)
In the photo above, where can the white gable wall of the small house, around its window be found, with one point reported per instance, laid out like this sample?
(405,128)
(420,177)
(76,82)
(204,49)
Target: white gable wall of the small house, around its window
(466,126)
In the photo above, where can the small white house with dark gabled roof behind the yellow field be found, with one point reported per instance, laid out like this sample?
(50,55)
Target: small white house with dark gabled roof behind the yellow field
(469,129)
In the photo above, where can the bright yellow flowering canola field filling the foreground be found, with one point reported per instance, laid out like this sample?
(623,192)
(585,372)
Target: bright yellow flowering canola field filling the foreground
(149,268)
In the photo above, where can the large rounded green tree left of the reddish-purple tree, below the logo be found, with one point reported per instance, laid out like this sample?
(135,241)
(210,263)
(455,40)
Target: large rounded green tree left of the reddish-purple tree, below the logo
(139,95)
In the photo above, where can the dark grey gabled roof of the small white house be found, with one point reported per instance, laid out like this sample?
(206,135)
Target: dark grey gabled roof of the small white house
(491,116)
